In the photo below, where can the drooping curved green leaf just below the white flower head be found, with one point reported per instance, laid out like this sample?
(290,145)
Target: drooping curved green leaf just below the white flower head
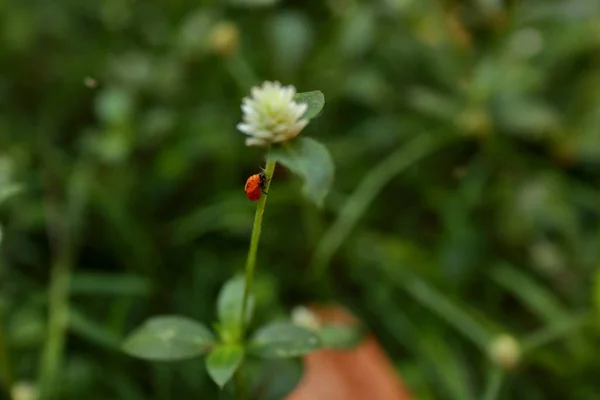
(310,160)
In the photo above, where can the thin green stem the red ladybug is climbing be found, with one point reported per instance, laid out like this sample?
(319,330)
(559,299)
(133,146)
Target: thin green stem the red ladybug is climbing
(250,267)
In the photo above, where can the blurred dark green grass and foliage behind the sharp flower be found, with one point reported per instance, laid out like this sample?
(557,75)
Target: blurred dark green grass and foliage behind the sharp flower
(466,204)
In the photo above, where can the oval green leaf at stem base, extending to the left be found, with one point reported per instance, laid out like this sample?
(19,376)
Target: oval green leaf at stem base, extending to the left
(169,338)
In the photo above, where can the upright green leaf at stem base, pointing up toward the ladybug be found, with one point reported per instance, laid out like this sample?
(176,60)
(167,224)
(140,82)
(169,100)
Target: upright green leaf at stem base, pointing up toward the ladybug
(229,305)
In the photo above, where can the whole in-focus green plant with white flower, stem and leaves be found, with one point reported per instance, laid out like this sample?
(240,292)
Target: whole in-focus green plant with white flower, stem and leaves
(170,338)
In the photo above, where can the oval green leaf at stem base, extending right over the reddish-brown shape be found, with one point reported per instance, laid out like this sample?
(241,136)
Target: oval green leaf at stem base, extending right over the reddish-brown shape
(283,340)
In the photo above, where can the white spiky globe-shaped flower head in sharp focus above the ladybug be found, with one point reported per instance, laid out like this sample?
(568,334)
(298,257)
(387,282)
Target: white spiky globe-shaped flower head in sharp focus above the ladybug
(271,115)
